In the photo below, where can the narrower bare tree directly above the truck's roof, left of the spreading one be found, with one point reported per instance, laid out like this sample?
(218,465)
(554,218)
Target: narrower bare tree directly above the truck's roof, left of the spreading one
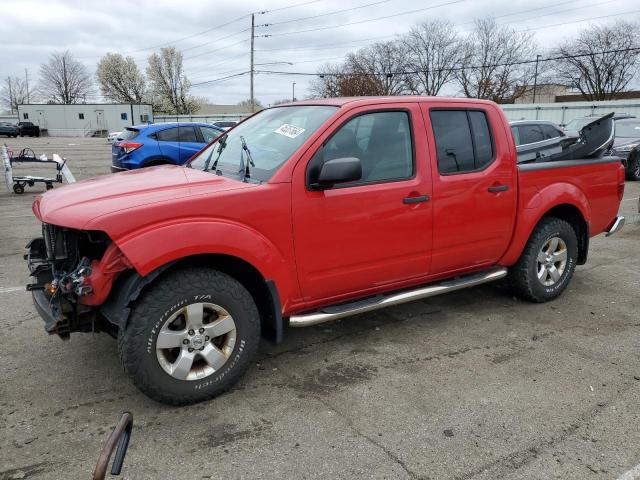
(433,52)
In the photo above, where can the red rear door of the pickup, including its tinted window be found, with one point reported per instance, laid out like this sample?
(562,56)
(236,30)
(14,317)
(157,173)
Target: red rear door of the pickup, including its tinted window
(474,185)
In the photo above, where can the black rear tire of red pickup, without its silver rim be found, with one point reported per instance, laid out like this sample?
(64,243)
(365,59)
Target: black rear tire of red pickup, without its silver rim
(523,276)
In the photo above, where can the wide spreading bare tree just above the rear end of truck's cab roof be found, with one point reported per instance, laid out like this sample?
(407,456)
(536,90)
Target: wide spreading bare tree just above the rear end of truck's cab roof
(492,65)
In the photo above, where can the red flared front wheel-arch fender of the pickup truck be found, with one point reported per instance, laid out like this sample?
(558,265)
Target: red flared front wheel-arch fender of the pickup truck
(160,244)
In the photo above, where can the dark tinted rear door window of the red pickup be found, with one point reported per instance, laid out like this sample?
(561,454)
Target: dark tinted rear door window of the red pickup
(463,140)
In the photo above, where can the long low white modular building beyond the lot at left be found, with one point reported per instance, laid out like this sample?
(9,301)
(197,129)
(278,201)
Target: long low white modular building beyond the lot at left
(84,119)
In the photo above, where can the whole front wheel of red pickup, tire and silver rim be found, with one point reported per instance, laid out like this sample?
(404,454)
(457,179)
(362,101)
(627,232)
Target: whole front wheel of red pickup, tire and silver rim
(190,336)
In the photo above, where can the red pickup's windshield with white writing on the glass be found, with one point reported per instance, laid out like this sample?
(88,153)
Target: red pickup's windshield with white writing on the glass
(271,136)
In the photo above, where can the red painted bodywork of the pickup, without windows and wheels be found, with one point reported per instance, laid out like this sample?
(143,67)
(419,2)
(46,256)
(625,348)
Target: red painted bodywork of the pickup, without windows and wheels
(321,247)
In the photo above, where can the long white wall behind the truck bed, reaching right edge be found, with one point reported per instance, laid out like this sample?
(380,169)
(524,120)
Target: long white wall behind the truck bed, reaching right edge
(562,113)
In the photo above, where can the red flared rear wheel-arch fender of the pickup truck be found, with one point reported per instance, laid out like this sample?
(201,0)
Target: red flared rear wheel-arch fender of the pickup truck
(536,207)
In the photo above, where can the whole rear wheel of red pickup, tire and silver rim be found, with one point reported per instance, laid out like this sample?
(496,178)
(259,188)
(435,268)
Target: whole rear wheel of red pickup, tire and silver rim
(547,263)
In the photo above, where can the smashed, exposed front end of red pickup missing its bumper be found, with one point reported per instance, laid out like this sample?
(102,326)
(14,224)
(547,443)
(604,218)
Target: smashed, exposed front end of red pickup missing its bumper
(73,271)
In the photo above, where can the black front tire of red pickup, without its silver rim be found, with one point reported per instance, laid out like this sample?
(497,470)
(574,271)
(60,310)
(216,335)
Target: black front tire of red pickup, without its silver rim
(162,298)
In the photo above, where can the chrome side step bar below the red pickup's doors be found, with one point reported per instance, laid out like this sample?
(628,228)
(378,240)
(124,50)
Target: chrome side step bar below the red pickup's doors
(327,314)
